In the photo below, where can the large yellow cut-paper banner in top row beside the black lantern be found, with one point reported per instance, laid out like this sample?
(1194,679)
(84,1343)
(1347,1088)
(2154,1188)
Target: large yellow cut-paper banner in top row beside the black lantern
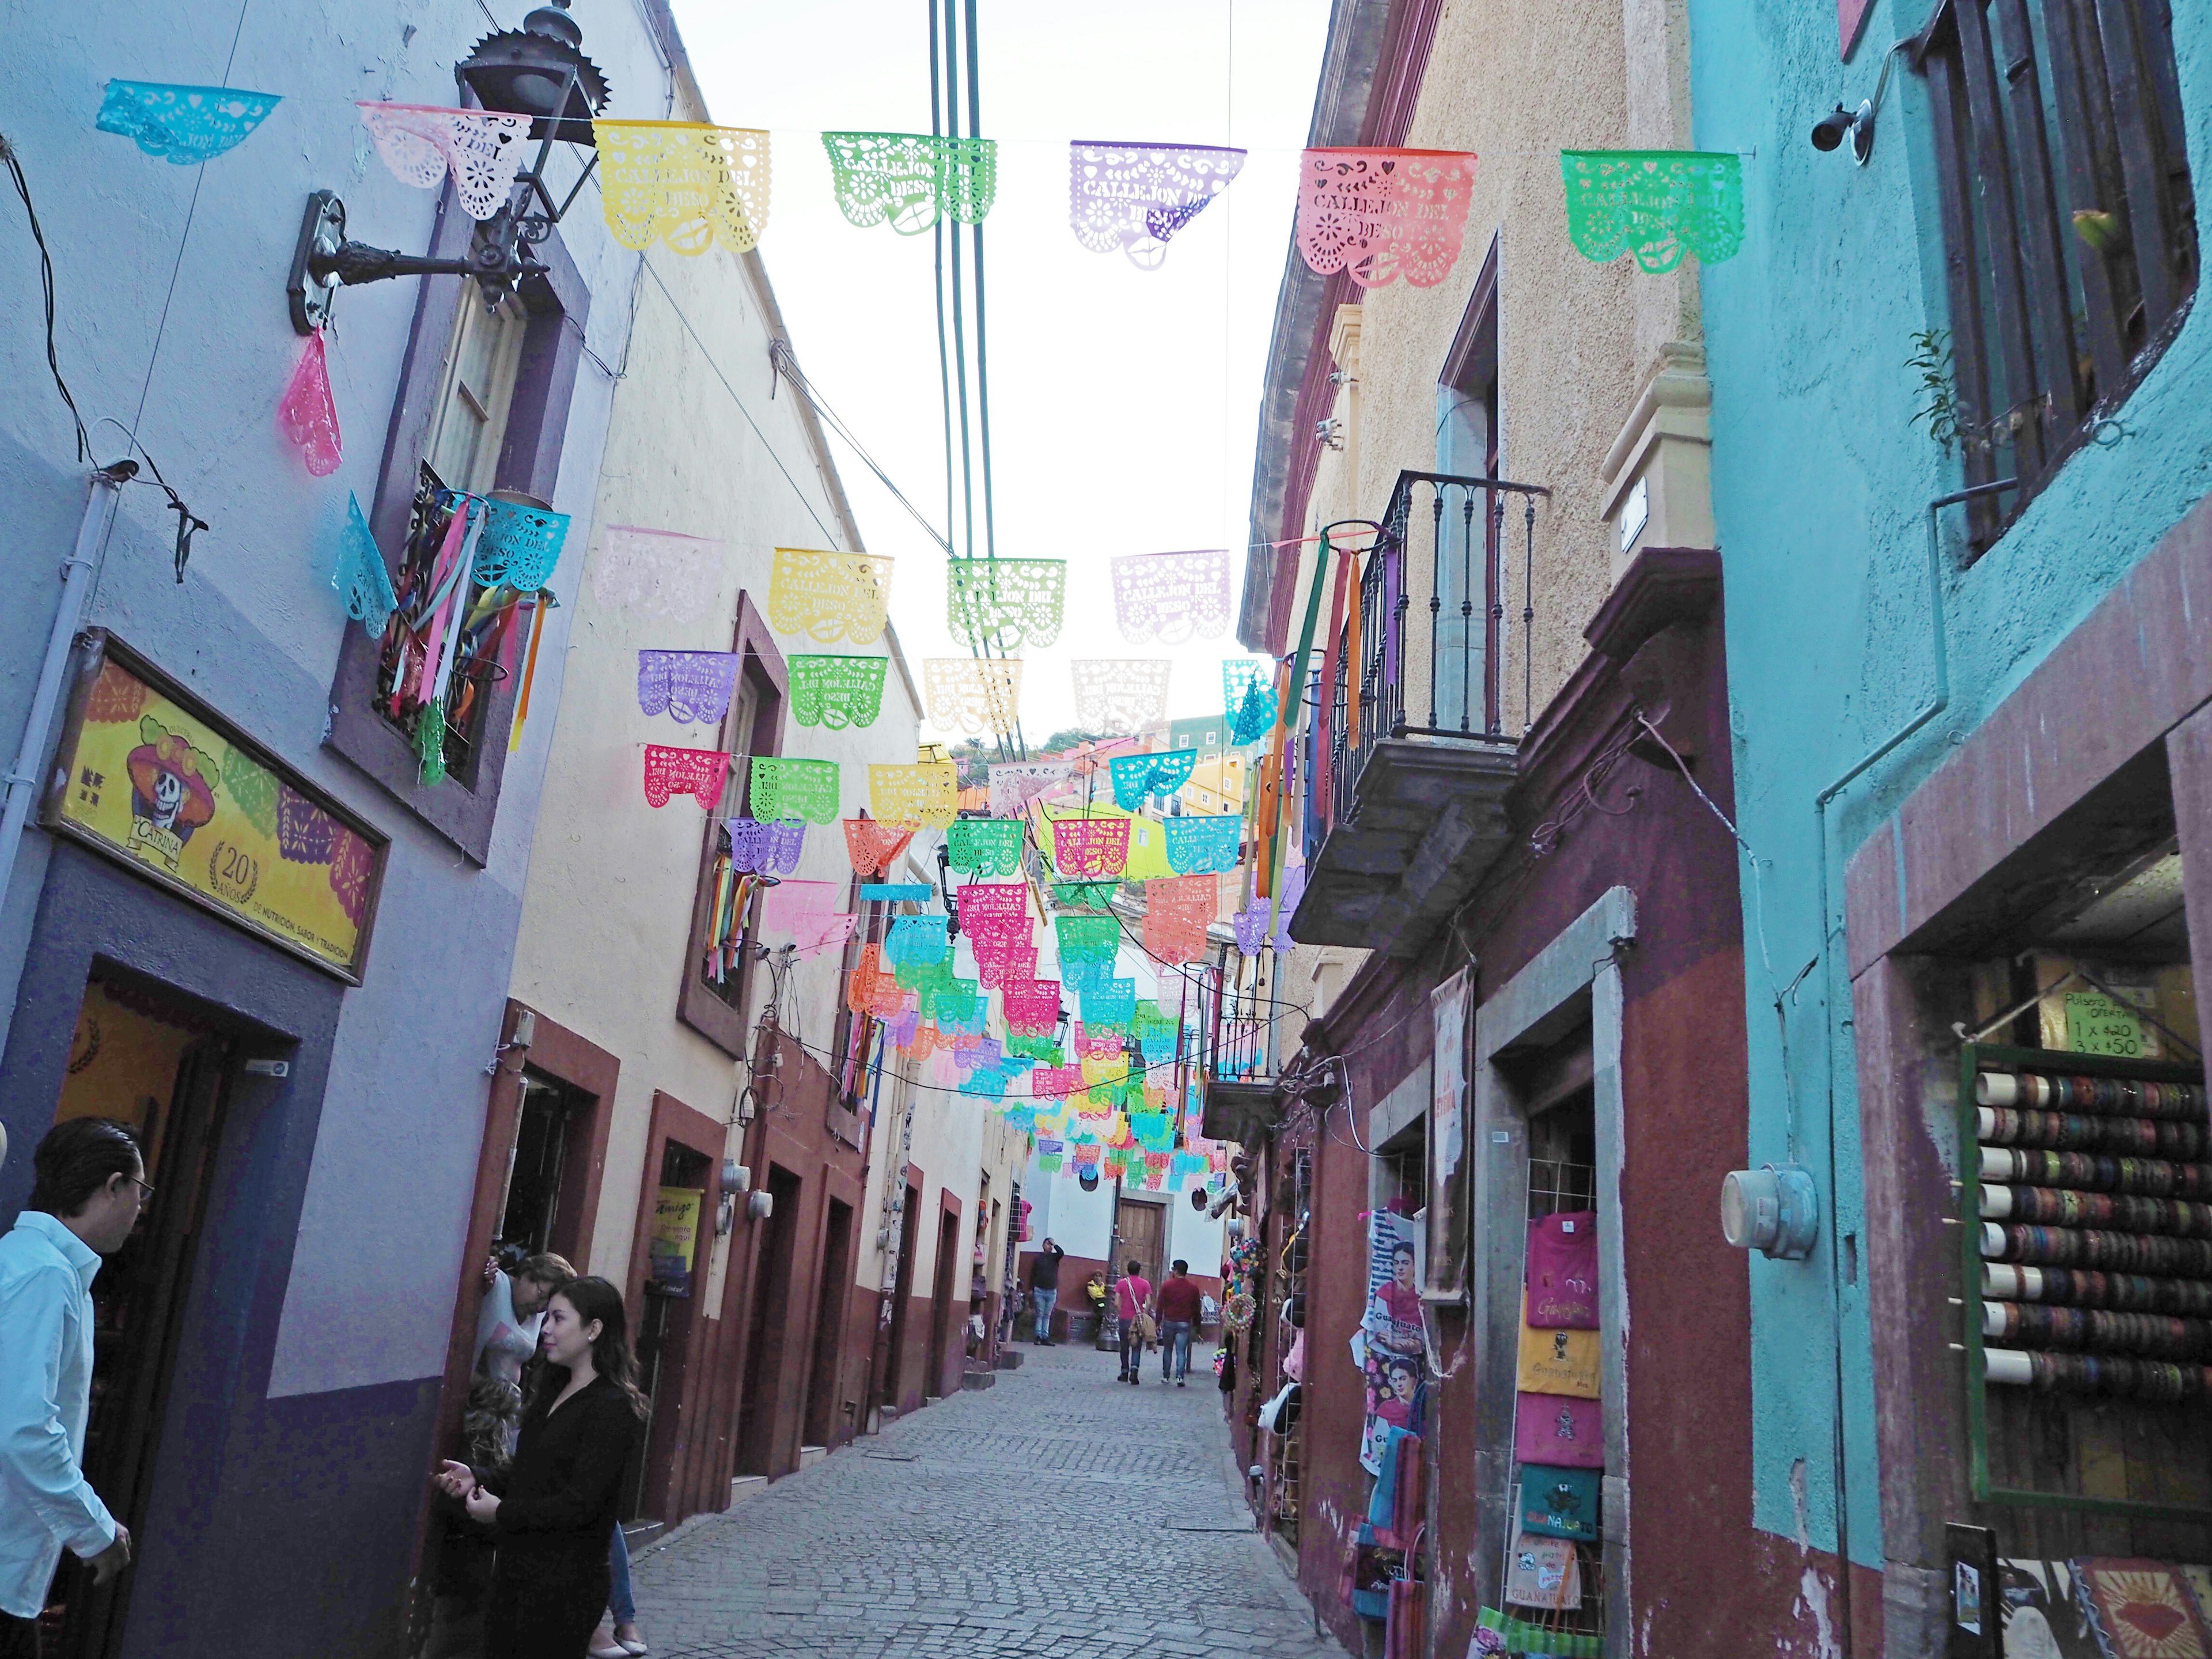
(682,182)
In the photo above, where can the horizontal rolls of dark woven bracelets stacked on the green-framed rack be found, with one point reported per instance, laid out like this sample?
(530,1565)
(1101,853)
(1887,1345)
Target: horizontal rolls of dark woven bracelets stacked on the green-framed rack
(2096,1235)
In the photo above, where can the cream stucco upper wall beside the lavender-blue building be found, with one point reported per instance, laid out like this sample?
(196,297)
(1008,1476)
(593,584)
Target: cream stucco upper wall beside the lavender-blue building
(607,915)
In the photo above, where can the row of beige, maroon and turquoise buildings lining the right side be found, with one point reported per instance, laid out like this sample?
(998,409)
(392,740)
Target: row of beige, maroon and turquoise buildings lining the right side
(1715,1063)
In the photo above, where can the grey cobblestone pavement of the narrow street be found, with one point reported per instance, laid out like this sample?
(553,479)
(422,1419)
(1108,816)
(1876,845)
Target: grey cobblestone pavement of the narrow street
(1056,1516)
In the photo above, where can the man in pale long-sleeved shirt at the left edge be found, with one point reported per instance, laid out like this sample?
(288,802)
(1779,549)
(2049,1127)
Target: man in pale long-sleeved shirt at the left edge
(85,1202)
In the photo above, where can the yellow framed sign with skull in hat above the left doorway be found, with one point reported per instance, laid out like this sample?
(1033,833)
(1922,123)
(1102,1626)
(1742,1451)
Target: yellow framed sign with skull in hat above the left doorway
(156,780)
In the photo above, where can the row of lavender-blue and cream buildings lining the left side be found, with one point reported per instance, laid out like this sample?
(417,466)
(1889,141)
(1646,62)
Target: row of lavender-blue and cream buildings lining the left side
(335,862)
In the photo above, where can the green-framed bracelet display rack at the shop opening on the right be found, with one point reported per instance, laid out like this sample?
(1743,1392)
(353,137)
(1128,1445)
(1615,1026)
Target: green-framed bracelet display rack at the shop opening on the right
(2087,1282)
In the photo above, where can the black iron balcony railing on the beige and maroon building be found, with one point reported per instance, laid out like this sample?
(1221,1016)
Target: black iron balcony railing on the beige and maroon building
(1434,629)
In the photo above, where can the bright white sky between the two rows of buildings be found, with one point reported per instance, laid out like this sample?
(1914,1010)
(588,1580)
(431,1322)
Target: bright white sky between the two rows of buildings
(1125,404)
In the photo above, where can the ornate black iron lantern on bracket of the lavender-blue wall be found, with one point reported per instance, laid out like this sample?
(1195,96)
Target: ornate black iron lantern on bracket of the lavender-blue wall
(539,72)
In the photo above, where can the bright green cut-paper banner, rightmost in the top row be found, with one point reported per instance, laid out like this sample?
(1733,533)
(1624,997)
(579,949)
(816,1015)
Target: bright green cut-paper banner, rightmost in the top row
(1656,205)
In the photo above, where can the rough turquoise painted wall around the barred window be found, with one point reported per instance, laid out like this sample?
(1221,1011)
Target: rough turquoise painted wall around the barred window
(1822,490)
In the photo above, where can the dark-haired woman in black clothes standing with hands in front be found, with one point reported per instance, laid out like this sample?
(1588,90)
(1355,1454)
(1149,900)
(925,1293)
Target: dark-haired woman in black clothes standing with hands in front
(552,1512)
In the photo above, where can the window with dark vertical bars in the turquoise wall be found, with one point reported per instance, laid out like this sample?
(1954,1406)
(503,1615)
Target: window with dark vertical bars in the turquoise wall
(2069,225)
